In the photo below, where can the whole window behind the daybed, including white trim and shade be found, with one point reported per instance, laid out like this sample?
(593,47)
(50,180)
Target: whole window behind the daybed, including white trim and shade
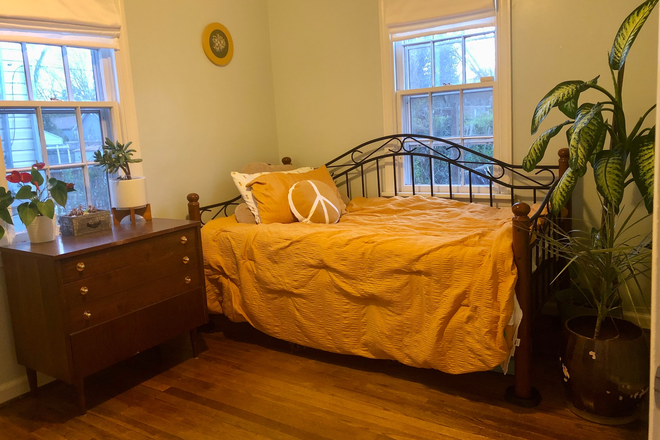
(446,72)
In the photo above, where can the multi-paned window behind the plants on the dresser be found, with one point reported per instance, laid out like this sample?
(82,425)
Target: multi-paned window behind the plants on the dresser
(57,105)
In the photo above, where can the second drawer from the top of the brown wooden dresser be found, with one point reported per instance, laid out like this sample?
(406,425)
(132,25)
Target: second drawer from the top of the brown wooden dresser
(99,286)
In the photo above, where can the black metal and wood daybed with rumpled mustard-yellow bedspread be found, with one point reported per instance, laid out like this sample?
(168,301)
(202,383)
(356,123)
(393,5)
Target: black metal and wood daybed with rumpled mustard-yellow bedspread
(425,279)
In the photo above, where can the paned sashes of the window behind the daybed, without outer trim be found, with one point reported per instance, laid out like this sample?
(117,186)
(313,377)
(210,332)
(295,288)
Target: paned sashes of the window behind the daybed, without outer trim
(444,88)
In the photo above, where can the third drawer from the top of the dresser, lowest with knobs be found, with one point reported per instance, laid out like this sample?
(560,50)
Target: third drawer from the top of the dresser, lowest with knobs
(128,301)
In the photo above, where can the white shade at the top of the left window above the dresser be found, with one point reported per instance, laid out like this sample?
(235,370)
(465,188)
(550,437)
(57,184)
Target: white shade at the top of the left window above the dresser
(78,21)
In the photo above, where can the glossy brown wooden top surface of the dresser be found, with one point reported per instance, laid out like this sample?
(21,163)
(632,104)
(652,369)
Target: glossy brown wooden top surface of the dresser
(69,246)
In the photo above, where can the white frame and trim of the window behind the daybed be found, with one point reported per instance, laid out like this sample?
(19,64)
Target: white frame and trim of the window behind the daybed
(392,95)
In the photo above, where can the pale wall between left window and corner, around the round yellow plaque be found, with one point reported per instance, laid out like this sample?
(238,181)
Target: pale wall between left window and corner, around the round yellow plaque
(199,121)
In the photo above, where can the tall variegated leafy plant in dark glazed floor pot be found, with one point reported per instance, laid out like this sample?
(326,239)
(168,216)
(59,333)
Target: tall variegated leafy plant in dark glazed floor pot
(600,351)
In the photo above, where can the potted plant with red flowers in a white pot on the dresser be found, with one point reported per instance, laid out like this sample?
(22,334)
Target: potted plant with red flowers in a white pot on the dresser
(38,209)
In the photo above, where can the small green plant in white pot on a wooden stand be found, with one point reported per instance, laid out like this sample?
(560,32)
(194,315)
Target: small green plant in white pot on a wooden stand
(126,191)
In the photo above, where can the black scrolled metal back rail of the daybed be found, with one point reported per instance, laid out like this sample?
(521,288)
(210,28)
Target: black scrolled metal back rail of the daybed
(376,168)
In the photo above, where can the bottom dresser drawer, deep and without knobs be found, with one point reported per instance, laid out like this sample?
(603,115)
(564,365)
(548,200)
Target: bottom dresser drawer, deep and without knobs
(103,345)
